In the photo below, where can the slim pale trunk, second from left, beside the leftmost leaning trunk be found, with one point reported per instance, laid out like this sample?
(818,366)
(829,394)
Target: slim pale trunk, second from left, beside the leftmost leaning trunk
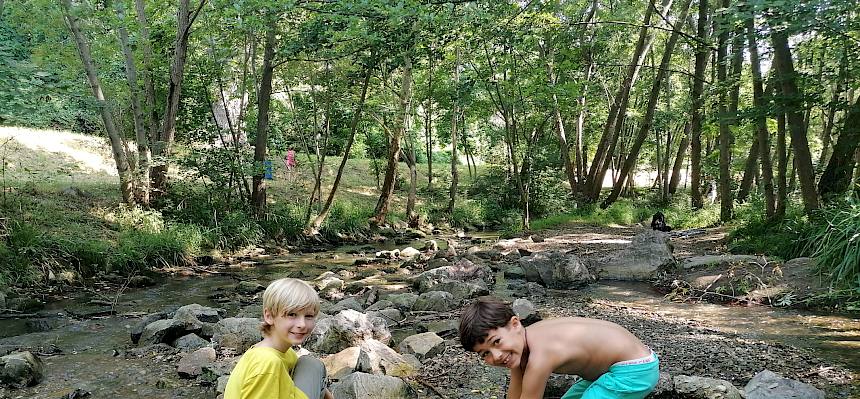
(144,155)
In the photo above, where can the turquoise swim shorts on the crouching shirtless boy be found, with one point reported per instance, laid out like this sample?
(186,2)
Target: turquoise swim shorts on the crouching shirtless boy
(631,379)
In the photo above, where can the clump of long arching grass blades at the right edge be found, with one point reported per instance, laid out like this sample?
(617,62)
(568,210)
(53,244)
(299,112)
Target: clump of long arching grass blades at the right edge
(834,240)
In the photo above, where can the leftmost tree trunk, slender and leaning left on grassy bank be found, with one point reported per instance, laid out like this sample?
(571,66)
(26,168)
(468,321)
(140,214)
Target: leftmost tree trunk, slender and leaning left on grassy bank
(119,155)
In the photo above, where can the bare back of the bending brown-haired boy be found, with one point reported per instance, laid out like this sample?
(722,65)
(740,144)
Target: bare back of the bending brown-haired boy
(575,345)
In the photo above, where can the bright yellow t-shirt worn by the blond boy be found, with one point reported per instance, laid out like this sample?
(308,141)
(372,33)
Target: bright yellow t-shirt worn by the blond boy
(264,373)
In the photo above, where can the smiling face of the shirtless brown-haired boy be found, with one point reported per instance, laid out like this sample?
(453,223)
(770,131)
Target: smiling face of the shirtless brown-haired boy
(504,346)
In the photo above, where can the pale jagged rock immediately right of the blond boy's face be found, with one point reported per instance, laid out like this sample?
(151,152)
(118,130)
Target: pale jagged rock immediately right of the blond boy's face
(345,329)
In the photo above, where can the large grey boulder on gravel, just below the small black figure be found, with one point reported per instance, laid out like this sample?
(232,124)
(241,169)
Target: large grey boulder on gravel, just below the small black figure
(647,253)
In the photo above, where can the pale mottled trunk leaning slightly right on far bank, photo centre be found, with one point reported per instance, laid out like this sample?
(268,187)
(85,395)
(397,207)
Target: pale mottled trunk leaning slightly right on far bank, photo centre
(381,211)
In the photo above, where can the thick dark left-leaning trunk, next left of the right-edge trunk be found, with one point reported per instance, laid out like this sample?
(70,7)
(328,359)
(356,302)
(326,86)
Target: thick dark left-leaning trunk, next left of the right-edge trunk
(803,158)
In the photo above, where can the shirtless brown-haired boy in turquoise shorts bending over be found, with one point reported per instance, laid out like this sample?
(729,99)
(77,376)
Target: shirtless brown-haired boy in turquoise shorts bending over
(612,362)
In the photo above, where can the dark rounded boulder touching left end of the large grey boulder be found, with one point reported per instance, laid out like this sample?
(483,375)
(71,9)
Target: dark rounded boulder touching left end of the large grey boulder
(555,269)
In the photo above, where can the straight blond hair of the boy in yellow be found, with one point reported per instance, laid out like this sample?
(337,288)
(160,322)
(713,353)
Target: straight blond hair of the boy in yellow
(287,295)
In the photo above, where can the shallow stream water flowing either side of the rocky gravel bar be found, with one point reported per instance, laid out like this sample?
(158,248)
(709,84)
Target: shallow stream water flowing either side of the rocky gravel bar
(86,352)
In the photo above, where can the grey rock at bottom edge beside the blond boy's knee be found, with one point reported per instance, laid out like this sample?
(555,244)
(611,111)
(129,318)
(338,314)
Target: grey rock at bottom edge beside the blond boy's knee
(368,386)
